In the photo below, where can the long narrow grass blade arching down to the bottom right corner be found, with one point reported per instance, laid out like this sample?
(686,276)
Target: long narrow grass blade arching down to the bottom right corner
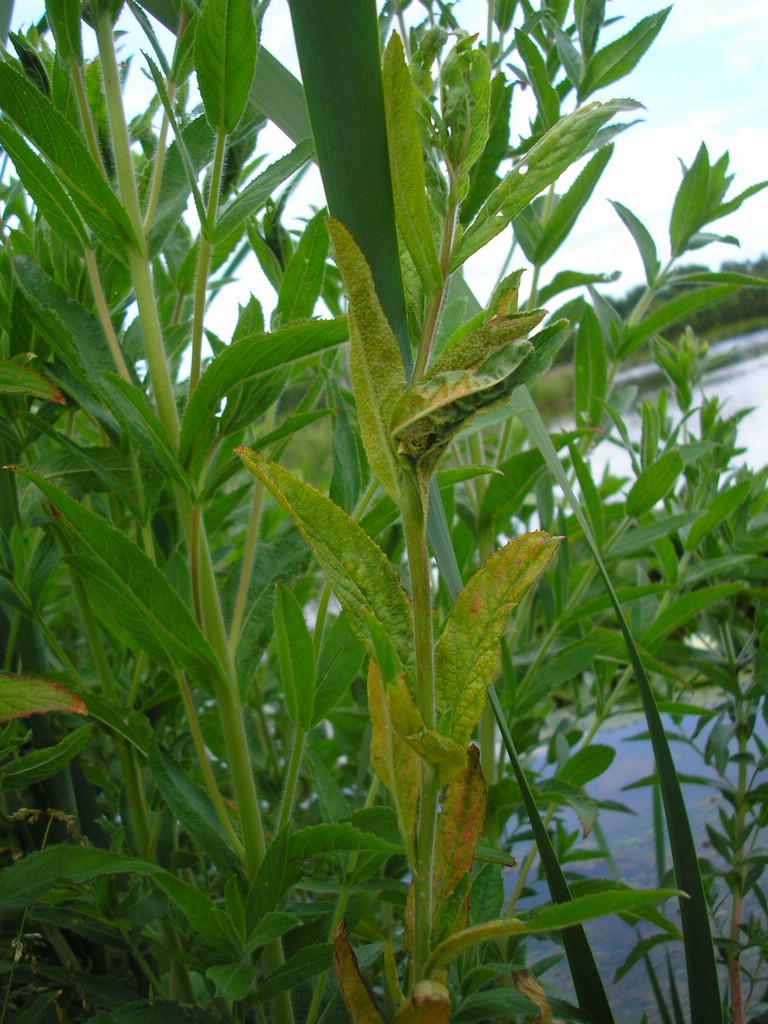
(704,989)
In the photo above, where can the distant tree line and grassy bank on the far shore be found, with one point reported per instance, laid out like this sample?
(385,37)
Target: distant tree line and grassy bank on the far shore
(743,311)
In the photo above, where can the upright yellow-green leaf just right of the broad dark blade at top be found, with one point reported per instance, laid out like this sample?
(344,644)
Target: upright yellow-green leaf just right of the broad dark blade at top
(407,166)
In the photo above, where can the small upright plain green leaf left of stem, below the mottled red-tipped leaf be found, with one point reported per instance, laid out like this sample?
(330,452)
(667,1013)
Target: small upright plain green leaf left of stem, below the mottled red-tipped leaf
(296,653)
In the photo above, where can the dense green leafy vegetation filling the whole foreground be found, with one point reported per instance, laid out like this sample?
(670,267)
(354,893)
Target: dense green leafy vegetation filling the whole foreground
(313,636)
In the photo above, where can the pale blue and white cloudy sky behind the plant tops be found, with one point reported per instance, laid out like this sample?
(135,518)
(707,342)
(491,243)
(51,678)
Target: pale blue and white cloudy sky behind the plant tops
(705,79)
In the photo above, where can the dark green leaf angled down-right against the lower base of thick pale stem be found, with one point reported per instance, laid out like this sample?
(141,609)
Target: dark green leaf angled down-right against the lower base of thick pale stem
(192,807)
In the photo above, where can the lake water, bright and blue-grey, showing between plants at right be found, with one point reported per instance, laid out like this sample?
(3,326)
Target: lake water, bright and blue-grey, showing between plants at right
(741,383)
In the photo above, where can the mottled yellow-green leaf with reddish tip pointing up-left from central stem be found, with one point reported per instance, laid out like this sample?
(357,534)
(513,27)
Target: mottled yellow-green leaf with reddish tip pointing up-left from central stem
(361,575)
